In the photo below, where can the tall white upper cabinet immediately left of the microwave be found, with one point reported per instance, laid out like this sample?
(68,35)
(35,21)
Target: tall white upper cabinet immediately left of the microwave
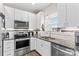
(9,17)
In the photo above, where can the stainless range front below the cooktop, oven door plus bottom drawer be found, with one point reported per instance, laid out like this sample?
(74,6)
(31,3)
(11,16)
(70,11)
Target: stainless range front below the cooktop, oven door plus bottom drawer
(22,47)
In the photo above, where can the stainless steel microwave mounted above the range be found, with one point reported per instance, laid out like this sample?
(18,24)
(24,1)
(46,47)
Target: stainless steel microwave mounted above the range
(21,24)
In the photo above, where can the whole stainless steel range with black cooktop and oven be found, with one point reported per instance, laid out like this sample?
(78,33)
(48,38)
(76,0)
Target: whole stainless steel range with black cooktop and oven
(22,43)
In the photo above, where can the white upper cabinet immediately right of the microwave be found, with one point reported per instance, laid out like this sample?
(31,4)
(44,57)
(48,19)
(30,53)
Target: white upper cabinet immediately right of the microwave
(32,21)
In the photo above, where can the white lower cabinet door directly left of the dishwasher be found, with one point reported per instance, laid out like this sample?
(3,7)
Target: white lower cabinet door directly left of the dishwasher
(46,48)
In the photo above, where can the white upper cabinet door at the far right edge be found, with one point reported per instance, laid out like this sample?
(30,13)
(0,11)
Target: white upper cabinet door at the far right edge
(73,14)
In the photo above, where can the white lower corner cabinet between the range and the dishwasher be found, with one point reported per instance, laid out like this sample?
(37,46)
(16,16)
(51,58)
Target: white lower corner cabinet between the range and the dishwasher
(41,46)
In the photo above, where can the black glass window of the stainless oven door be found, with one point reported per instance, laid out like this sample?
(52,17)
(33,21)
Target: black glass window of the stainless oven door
(22,44)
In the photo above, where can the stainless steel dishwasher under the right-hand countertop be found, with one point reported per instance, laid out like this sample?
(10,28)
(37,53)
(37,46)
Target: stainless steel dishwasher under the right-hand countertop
(58,50)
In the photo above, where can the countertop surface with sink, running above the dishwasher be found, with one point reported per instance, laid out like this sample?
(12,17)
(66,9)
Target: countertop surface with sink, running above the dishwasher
(58,41)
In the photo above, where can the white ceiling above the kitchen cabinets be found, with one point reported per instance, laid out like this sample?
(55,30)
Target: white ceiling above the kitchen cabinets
(34,8)
